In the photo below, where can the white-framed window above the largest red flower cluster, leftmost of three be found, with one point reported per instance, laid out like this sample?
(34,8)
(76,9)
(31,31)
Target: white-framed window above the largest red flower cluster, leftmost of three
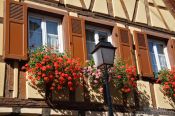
(45,30)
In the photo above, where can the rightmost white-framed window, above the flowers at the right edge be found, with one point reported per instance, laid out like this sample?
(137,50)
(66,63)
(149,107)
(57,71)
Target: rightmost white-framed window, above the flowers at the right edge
(158,54)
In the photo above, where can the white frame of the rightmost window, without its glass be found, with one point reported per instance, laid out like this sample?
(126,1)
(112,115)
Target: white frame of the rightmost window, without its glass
(165,51)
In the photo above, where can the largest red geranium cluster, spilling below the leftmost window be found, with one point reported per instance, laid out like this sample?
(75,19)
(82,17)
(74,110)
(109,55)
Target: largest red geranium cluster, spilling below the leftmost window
(58,70)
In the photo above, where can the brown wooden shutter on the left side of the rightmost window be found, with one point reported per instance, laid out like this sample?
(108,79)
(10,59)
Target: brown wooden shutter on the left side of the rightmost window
(142,52)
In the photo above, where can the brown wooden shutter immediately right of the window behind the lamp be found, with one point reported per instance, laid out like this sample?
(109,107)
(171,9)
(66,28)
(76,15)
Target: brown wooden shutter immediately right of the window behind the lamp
(125,46)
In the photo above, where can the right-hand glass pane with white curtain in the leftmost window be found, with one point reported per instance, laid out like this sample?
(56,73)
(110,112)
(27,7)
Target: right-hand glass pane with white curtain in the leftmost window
(52,34)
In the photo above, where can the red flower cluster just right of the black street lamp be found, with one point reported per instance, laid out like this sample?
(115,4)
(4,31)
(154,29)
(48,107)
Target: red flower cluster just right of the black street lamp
(124,77)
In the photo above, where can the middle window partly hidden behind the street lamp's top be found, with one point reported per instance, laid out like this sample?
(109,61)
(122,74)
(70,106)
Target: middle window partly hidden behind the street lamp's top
(93,35)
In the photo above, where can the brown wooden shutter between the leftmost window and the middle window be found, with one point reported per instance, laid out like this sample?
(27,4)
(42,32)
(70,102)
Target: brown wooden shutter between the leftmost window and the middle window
(77,41)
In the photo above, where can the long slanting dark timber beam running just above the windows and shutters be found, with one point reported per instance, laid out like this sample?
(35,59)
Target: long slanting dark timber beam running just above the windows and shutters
(109,18)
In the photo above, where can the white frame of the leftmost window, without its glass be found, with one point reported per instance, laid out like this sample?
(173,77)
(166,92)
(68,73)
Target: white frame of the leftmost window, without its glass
(45,18)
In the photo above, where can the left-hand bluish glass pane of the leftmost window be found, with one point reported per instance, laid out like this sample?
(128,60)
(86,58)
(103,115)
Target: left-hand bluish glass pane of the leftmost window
(35,33)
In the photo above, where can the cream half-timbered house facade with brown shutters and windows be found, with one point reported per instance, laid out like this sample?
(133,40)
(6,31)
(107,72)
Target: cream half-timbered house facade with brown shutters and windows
(142,30)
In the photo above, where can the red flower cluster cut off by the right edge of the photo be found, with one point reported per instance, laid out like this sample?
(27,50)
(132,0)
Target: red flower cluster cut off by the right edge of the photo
(167,80)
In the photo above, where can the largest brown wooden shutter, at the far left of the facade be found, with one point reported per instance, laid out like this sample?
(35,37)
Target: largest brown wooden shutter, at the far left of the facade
(15,39)
